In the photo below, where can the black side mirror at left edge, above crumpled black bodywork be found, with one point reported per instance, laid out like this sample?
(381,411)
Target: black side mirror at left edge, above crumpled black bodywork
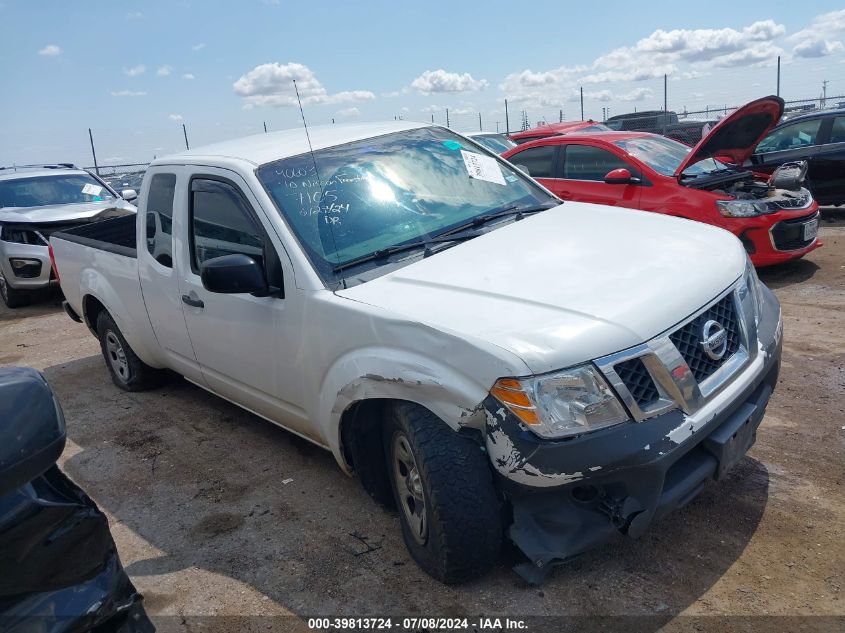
(32,427)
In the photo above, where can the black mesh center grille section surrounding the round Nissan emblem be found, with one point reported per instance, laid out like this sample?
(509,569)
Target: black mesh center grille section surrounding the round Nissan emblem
(688,338)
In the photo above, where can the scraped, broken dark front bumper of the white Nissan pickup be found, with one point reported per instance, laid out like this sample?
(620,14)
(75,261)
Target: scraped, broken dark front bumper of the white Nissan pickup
(623,478)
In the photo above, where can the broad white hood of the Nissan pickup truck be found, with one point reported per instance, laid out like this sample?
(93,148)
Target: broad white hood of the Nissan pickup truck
(566,285)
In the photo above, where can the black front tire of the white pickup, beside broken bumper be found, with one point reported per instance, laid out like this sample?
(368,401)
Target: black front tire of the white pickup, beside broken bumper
(462,508)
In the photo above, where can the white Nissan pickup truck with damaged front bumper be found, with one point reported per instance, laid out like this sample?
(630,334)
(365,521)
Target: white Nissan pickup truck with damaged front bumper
(490,361)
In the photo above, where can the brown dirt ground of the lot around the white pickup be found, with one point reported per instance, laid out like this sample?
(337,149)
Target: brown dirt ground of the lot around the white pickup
(216,512)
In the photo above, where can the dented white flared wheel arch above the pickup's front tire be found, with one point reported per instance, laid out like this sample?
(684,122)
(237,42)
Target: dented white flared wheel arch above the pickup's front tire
(385,373)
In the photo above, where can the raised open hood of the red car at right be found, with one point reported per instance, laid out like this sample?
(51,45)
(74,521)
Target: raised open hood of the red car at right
(735,137)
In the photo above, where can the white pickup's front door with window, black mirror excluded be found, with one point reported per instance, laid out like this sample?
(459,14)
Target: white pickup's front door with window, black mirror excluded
(247,346)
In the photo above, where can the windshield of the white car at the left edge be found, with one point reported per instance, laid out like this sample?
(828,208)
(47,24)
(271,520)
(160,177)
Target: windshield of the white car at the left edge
(42,191)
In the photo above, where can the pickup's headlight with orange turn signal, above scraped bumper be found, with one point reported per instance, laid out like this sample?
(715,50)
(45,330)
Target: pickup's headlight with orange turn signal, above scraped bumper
(568,402)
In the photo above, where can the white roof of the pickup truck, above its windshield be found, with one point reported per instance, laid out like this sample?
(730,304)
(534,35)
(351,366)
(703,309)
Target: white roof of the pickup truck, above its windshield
(264,148)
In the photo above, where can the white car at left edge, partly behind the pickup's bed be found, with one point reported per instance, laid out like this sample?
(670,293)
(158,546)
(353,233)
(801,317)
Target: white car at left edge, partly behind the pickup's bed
(35,201)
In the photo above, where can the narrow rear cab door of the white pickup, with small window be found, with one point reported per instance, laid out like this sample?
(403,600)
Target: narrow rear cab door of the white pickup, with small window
(159,279)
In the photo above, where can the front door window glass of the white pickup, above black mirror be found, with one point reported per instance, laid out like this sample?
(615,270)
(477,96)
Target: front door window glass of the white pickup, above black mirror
(222,223)
